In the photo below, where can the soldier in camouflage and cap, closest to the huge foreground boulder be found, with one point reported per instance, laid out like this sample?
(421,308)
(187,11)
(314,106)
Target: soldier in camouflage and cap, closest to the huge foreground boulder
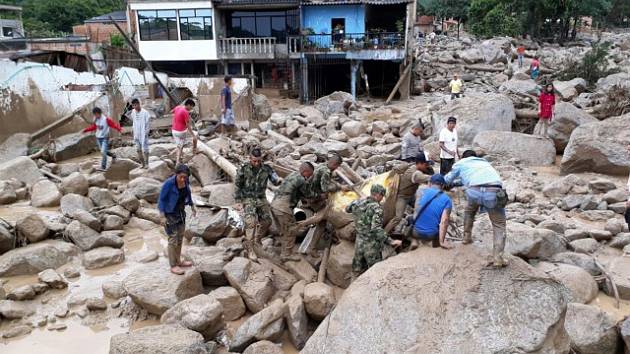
(368,220)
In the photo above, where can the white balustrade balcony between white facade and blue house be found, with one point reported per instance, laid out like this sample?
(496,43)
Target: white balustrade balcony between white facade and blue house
(247,48)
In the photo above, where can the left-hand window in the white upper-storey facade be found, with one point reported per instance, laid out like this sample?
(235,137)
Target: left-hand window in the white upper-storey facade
(158,25)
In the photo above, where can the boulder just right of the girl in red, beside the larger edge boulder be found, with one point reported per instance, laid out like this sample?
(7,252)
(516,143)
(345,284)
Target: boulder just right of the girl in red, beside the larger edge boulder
(566,118)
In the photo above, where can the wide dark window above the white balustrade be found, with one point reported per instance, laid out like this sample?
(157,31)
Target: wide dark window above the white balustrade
(278,24)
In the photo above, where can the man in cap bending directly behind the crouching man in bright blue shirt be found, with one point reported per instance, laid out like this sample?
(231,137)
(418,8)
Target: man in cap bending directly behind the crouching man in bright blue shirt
(410,179)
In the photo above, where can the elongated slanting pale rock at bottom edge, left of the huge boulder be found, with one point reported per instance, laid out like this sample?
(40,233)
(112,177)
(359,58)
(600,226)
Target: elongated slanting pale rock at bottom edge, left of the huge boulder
(264,325)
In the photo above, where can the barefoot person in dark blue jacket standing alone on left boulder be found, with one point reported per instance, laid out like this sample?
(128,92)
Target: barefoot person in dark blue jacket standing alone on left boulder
(174,197)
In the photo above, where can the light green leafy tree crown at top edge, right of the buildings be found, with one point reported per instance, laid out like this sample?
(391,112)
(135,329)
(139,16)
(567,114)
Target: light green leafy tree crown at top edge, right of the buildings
(488,18)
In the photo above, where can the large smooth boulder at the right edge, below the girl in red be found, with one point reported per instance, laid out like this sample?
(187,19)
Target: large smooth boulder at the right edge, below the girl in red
(597,147)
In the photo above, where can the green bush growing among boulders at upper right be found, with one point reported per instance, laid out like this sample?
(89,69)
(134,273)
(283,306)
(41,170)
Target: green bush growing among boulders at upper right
(593,66)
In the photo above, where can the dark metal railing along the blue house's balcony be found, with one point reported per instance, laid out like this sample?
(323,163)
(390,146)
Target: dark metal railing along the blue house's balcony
(337,42)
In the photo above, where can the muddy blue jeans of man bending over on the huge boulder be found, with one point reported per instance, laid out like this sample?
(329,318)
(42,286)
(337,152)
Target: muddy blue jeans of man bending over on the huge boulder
(486,200)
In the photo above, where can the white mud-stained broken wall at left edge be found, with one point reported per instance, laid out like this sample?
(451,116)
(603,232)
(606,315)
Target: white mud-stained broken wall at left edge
(33,95)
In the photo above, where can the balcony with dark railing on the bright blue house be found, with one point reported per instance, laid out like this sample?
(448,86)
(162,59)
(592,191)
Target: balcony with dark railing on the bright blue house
(374,46)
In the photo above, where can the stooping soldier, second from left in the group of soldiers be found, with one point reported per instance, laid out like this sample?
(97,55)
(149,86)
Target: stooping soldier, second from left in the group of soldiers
(287,196)
